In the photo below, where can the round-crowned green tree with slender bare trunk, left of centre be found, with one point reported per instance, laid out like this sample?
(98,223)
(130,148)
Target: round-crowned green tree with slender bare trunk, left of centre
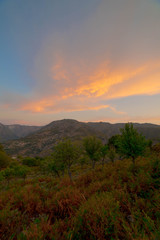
(66,153)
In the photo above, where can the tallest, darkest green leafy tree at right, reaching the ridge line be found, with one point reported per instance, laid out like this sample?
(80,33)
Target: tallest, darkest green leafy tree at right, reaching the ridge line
(131,144)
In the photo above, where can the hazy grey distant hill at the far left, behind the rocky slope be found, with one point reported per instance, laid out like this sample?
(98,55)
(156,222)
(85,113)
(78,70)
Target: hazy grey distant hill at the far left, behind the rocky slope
(15,131)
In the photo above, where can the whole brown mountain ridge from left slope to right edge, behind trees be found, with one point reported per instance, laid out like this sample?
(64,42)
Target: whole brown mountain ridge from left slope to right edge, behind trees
(42,141)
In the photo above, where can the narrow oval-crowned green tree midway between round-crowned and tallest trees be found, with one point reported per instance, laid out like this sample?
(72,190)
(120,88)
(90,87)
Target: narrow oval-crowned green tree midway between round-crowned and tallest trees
(92,146)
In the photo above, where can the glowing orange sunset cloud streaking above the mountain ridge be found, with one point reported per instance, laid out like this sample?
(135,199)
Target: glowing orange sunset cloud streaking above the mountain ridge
(87,91)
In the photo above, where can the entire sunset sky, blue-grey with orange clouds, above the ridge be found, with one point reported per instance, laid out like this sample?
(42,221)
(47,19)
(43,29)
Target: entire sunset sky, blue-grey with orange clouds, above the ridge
(89,60)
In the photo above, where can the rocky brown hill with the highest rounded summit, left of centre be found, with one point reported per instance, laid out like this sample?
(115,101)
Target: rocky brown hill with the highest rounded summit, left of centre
(42,142)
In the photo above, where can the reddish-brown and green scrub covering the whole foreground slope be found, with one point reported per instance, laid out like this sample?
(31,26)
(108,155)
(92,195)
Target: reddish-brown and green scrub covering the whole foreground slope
(105,203)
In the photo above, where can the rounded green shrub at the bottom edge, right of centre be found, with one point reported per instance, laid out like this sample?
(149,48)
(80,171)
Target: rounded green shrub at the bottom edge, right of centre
(98,218)
